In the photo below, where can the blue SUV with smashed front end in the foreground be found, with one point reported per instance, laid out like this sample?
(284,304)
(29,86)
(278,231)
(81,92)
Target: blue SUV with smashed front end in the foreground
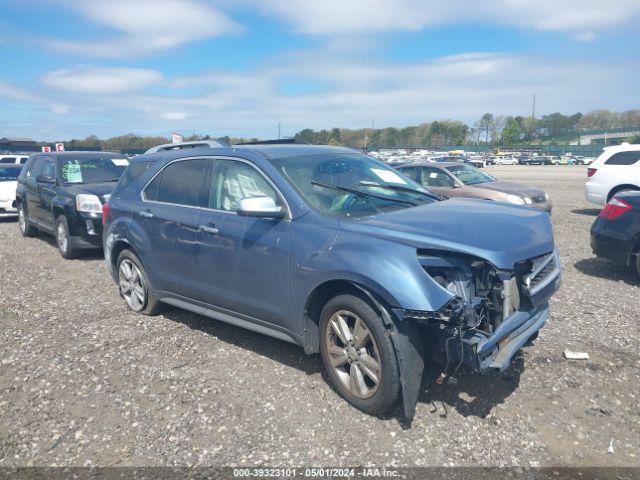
(334,251)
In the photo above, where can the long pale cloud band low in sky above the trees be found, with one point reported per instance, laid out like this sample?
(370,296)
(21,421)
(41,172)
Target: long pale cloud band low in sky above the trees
(351,93)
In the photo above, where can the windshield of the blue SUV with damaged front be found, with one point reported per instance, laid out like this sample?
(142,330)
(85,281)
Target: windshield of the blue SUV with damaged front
(350,185)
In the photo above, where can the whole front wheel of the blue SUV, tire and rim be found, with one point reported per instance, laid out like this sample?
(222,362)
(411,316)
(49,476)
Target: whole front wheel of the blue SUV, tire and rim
(358,354)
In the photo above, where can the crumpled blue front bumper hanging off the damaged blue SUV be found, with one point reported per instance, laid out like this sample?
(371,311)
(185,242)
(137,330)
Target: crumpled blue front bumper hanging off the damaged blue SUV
(482,352)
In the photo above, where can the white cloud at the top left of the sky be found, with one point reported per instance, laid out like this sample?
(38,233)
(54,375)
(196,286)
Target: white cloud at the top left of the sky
(145,26)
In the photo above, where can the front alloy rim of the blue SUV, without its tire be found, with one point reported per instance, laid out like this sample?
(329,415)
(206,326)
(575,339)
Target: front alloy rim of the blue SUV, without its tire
(353,354)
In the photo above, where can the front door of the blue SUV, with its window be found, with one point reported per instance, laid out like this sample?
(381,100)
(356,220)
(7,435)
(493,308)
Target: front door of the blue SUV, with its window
(243,262)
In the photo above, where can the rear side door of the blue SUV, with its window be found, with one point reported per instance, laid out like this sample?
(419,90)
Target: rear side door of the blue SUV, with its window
(168,214)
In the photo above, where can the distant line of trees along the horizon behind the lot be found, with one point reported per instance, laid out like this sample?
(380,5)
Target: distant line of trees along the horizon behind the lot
(488,130)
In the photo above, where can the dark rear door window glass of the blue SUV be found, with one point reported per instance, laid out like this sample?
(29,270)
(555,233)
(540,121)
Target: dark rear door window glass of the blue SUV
(181,183)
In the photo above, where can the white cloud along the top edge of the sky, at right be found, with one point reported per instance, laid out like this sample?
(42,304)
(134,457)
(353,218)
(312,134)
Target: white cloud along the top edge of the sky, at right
(365,16)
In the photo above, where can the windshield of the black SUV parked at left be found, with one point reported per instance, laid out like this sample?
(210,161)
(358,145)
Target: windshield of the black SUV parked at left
(92,170)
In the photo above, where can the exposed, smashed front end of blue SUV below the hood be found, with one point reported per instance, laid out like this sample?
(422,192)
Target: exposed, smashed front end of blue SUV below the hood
(487,309)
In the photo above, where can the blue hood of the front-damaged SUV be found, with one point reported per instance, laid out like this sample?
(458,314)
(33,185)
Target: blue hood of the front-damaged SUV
(499,233)
